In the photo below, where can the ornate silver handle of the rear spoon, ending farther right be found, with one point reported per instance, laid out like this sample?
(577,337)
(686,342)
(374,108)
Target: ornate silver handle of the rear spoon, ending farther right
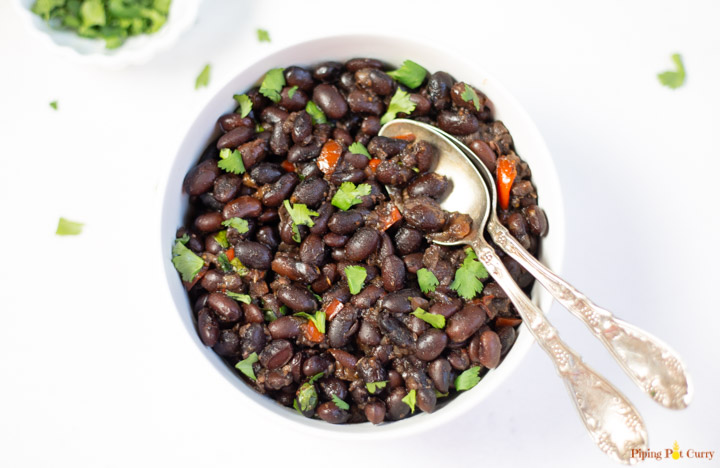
(652,364)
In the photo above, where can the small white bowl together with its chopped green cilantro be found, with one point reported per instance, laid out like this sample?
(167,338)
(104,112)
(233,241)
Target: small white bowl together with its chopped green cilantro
(111,33)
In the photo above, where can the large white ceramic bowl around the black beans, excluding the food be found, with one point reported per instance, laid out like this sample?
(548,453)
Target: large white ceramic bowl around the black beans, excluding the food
(529,145)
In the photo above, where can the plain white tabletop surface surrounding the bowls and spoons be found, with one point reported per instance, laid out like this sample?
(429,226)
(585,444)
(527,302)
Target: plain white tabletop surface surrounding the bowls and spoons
(95,368)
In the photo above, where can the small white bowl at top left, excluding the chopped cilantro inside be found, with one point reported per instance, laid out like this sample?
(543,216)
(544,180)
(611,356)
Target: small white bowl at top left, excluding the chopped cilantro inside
(137,50)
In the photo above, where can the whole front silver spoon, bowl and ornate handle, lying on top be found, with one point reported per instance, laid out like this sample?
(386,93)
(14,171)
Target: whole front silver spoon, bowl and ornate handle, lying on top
(612,421)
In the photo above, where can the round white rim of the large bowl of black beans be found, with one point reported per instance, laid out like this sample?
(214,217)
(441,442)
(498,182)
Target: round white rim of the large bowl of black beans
(421,422)
